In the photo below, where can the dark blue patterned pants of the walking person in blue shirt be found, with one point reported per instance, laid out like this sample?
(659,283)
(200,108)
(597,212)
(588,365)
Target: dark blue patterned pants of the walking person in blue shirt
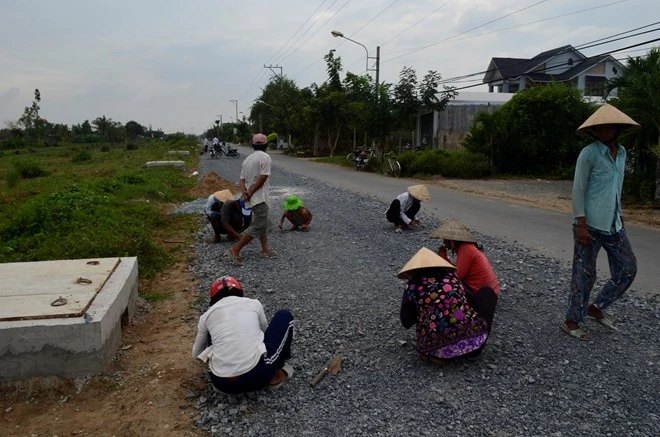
(623,268)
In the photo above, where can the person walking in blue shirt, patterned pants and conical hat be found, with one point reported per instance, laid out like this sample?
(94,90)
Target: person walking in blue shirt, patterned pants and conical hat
(597,187)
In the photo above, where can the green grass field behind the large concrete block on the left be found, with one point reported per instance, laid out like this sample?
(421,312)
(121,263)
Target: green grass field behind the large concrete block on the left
(77,201)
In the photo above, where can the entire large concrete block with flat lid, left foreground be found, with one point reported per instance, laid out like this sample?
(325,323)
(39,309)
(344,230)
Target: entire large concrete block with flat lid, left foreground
(81,340)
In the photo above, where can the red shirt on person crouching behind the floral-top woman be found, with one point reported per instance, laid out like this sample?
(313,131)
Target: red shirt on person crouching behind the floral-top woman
(473,268)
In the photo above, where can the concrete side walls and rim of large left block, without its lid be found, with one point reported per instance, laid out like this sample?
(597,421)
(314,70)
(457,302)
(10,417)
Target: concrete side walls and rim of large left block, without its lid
(70,346)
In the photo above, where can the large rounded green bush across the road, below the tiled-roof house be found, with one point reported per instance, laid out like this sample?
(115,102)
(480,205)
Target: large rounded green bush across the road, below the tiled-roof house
(533,133)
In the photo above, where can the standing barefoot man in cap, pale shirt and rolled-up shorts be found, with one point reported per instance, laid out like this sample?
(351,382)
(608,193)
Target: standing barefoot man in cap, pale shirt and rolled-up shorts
(254,182)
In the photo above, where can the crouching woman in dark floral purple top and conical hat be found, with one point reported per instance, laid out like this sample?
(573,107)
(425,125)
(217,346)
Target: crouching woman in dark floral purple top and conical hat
(434,299)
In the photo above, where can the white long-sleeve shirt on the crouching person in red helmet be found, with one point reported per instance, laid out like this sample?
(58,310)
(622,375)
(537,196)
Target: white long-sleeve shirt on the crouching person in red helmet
(236,325)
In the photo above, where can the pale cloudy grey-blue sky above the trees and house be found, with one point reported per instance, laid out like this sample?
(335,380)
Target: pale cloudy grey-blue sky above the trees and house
(179,65)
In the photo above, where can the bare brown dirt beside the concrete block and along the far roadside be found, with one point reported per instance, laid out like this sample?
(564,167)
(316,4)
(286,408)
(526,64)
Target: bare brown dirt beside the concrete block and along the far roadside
(151,387)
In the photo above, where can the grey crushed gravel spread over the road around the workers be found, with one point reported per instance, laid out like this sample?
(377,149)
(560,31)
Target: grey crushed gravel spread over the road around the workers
(339,280)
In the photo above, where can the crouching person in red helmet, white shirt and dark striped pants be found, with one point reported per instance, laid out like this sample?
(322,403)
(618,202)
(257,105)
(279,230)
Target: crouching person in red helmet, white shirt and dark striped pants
(244,353)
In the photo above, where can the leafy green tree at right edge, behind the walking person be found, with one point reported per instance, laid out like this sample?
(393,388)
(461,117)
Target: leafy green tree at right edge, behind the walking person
(638,95)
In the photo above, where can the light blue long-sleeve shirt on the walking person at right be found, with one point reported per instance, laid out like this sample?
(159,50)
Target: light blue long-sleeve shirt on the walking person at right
(597,187)
